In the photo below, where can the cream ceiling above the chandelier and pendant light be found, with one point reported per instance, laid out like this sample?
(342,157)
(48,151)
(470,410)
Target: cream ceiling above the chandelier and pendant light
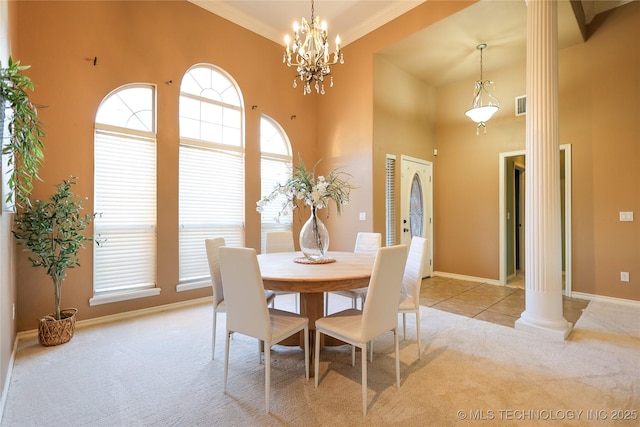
(440,54)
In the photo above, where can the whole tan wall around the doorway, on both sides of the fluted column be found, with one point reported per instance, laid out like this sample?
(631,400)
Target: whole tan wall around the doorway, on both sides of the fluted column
(599,117)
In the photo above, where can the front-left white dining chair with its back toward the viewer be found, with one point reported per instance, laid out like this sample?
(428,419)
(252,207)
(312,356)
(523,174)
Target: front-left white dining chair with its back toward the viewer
(247,311)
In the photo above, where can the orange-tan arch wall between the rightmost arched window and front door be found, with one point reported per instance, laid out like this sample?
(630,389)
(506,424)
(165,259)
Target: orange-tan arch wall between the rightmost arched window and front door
(346,121)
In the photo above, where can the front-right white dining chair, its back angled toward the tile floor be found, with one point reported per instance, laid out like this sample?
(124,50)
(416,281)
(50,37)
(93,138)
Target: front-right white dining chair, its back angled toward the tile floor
(378,316)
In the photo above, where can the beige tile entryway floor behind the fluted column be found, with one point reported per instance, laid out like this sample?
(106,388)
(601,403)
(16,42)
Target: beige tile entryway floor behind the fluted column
(496,304)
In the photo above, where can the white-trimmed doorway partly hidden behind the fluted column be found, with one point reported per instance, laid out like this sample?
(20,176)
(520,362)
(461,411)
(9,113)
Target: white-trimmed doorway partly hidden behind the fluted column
(512,208)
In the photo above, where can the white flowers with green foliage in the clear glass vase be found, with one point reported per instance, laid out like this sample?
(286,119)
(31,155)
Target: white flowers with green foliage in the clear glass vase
(304,189)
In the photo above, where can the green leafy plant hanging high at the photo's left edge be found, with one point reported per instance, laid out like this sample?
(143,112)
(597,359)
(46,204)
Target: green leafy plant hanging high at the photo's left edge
(24,147)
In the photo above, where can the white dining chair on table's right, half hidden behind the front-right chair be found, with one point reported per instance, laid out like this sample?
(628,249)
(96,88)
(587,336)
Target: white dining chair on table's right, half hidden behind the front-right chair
(411,284)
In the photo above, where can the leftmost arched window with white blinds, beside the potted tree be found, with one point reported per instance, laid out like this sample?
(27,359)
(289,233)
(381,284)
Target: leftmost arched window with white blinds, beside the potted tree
(125,192)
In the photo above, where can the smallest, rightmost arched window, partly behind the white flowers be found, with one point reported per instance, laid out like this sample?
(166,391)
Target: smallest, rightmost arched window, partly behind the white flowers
(275,167)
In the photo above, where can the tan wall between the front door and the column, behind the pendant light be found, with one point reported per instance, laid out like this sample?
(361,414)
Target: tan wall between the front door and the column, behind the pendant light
(466,172)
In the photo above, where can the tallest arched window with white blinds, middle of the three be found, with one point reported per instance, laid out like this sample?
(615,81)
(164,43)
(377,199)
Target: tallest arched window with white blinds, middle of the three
(211,176)
